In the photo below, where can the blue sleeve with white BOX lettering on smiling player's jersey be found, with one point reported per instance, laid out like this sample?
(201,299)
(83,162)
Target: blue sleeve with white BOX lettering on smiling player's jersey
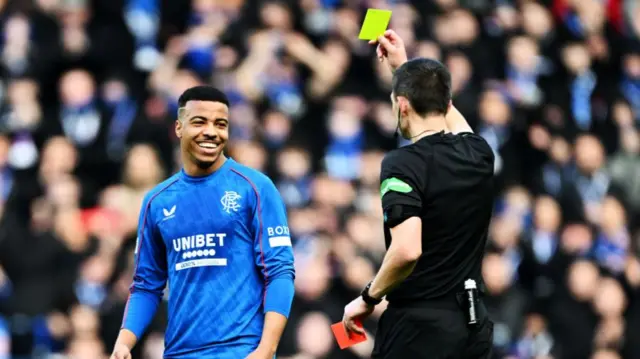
(274,254)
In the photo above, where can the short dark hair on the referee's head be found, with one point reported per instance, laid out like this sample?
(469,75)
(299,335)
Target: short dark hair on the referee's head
(426,83)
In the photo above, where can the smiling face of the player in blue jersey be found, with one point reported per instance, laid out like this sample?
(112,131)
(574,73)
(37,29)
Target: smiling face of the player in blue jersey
(203,129)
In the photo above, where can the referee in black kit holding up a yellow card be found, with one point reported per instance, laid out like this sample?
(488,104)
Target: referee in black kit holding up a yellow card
(437,201)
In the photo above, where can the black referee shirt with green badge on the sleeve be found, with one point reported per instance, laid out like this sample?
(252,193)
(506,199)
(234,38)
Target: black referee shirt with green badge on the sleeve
(449,178)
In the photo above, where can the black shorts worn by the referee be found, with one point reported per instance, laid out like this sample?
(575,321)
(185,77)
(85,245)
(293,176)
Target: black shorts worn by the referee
(432,330)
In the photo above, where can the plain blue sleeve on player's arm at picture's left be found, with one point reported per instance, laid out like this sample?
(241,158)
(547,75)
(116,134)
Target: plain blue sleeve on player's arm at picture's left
(150,274)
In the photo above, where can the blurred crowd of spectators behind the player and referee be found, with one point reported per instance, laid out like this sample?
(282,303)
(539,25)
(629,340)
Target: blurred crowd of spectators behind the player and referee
(88,93)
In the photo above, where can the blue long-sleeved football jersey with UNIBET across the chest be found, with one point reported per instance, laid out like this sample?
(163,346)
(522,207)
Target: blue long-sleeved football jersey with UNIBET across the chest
(216,243)
